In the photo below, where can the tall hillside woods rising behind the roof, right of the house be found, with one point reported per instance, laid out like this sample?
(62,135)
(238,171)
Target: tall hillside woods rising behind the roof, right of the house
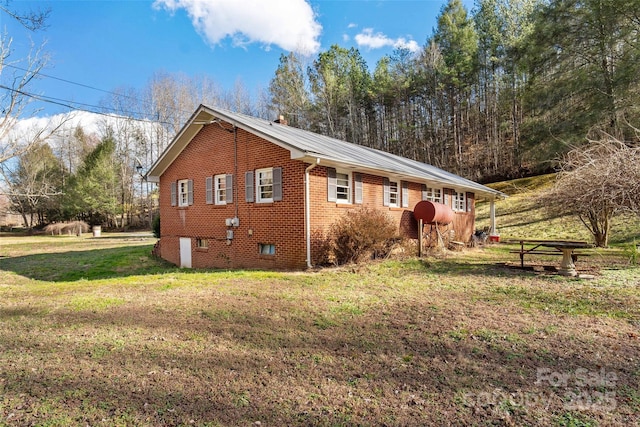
(497,93)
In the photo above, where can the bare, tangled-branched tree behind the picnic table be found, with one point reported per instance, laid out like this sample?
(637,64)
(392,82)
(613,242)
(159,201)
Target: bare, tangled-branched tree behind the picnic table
(596,183)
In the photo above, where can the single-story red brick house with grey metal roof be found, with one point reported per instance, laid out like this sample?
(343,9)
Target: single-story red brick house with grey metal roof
(241,192)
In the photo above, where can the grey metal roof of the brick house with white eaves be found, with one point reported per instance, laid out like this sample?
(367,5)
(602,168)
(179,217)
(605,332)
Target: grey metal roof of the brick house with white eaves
(312,147)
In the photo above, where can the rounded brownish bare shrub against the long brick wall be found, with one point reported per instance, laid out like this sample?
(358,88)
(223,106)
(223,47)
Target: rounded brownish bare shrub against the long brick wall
(362,234)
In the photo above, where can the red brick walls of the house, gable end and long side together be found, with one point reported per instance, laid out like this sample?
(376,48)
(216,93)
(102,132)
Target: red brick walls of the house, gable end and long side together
(281,223)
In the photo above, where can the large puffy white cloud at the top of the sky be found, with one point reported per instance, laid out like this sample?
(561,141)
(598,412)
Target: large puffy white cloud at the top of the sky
(290,24)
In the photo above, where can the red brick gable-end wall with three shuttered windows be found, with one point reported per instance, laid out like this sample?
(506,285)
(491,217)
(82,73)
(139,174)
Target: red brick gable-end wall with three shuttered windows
(280,223)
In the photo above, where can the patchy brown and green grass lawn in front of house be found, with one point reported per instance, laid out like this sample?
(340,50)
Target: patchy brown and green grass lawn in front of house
(458,340)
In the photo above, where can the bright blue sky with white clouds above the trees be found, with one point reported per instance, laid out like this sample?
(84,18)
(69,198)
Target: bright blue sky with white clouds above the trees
(115,44)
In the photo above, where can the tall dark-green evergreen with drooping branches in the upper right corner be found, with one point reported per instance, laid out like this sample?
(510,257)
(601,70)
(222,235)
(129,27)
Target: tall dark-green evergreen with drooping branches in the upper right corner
(585,59)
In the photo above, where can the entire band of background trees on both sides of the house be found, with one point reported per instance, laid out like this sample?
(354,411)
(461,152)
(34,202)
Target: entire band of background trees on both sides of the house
(496,93)
